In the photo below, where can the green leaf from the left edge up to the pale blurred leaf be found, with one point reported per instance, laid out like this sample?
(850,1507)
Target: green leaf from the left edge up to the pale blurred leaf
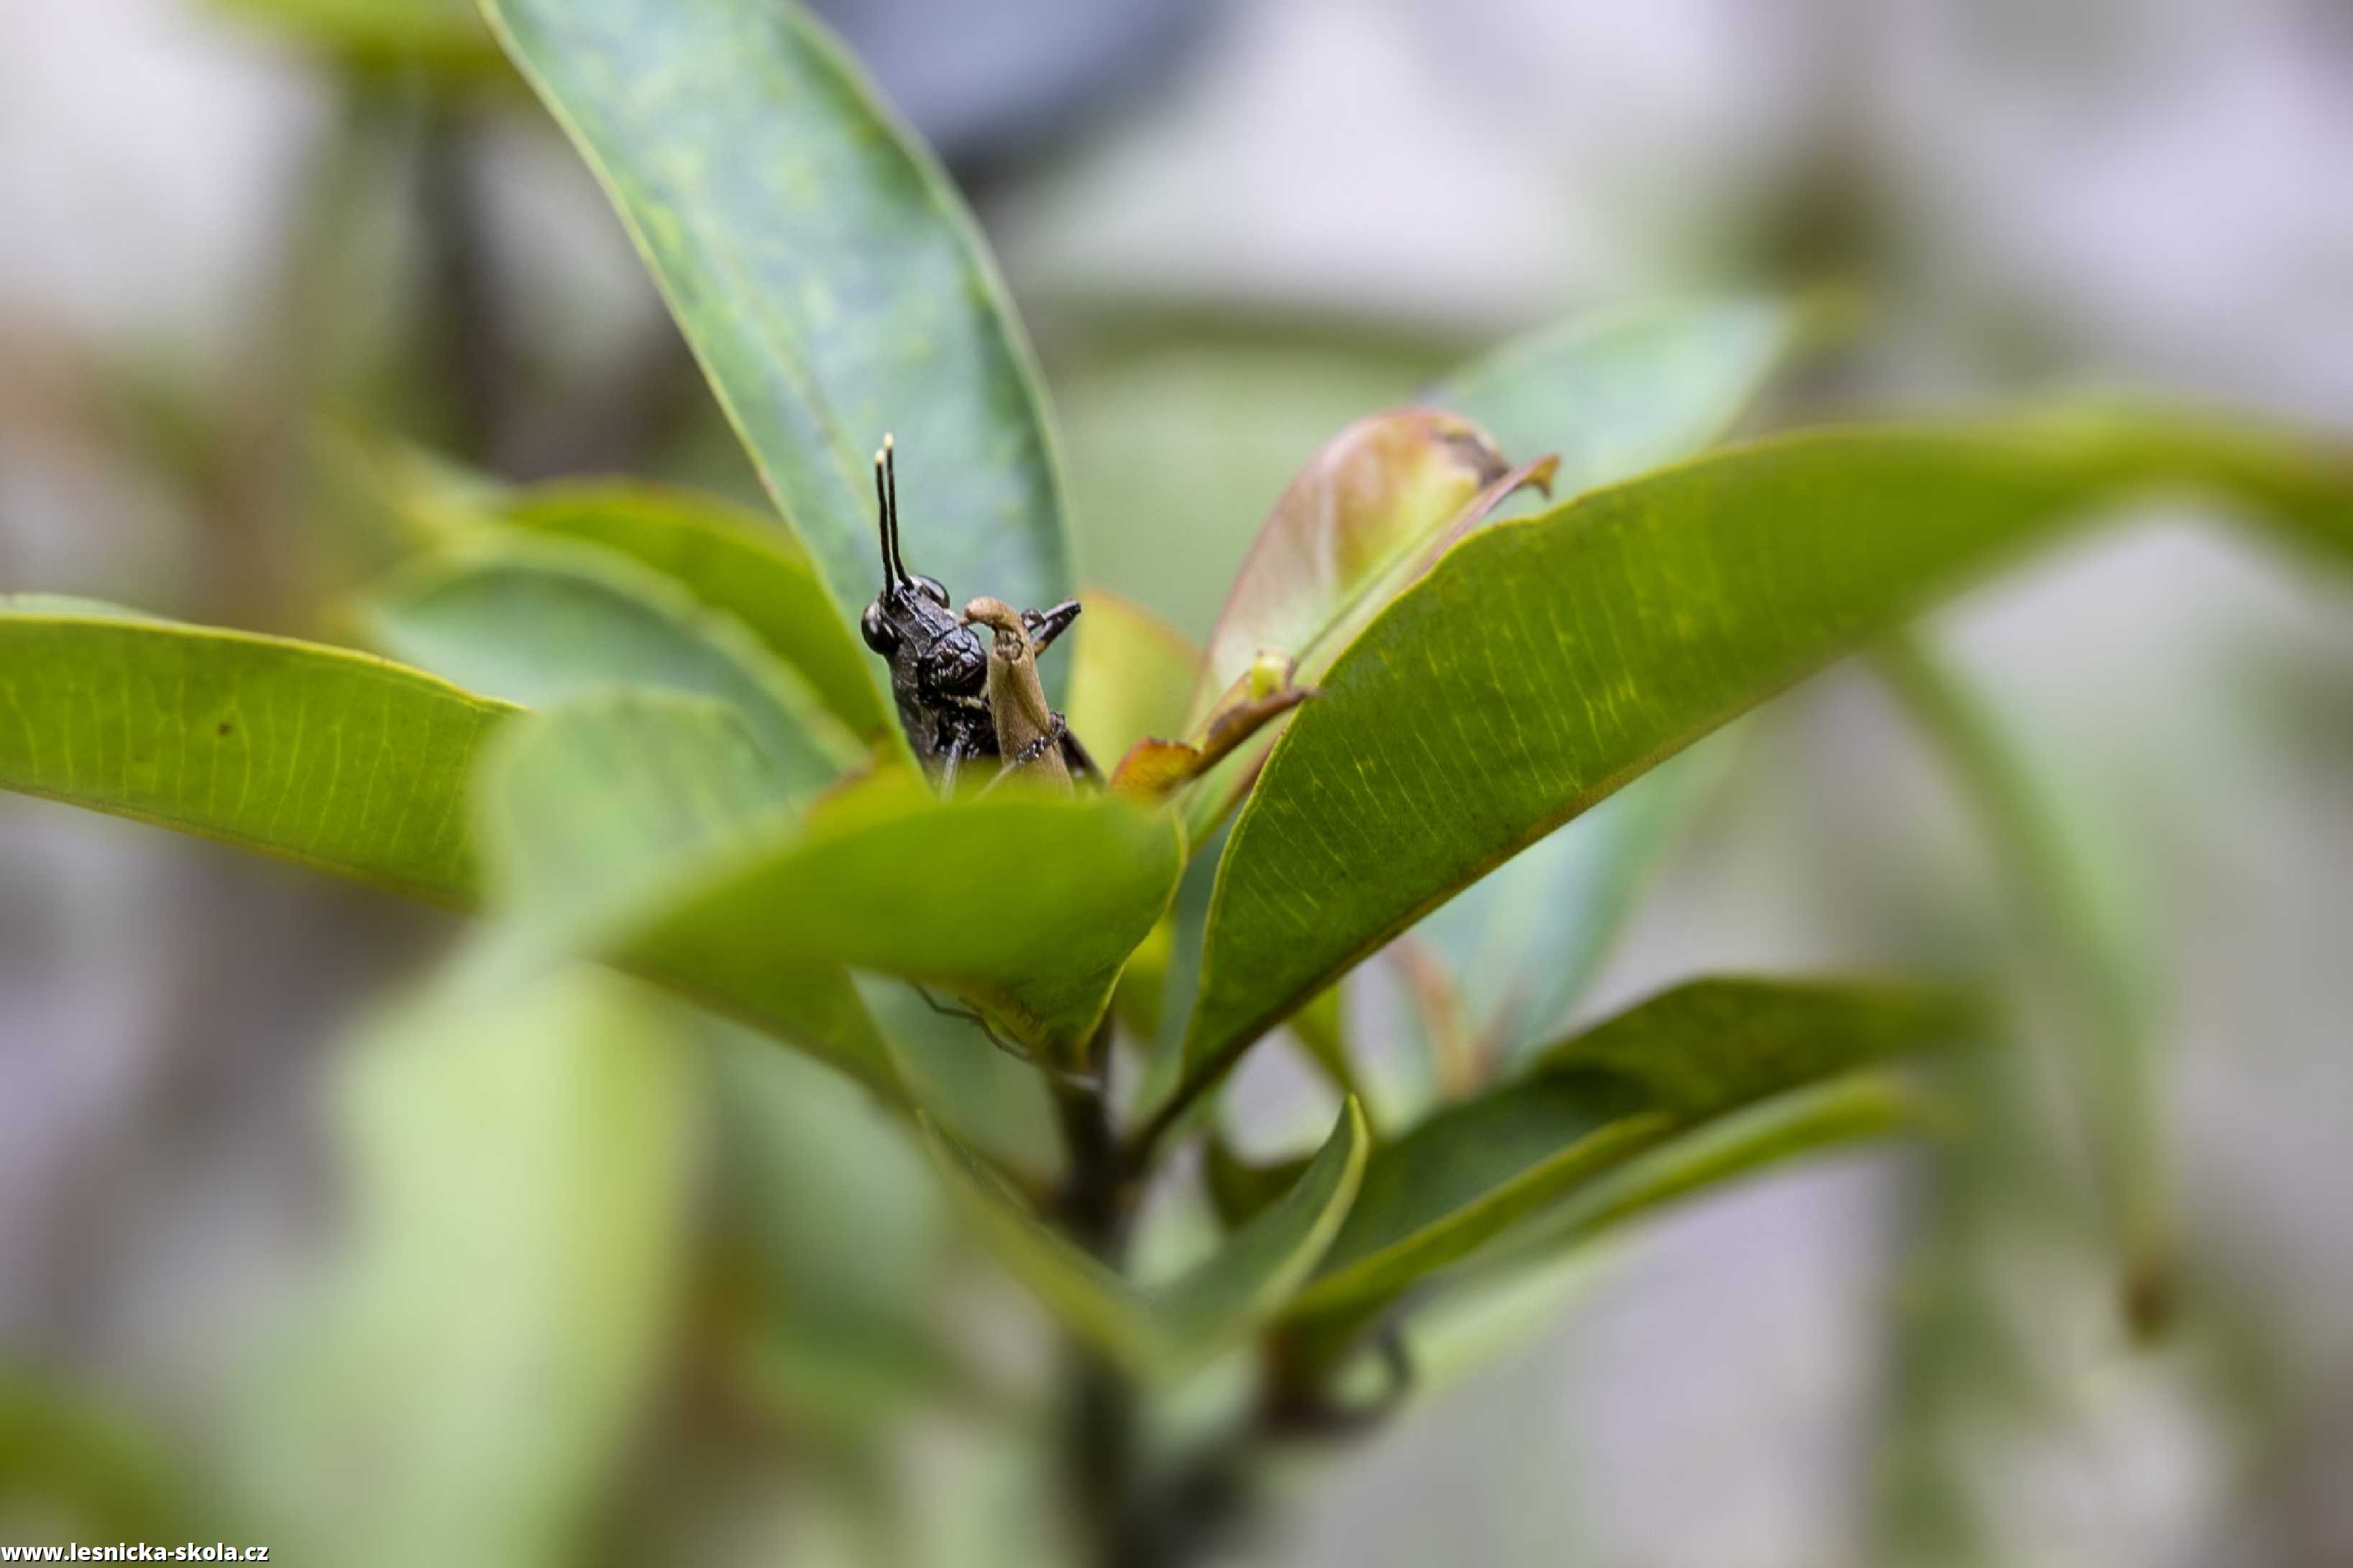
(319,755)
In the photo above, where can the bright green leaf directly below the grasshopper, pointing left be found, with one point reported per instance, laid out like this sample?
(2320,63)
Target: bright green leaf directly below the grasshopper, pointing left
(1020,903)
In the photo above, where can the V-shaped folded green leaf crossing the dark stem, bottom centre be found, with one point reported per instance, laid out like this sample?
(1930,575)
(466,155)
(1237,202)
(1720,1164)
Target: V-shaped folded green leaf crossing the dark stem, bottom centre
(1168,1329)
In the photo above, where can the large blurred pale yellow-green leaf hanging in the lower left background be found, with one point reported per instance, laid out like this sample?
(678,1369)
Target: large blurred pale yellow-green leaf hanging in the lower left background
(467,1386)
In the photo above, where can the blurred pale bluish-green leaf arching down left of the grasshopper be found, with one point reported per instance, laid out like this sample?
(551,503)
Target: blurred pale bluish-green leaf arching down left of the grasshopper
(540,623)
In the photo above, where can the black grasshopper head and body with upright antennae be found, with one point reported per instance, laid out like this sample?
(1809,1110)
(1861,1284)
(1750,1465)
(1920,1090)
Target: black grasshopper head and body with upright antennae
(938,663)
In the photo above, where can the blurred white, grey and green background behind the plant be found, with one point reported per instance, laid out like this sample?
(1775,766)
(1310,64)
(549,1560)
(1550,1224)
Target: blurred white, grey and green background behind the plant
(239,227)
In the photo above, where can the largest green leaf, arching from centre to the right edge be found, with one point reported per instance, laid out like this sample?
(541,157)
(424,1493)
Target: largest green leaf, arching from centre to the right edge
(1549,660)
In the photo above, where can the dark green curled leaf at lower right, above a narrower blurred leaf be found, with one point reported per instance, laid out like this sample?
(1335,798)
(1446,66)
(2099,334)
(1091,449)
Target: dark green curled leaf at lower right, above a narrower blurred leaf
(1599,1098)
